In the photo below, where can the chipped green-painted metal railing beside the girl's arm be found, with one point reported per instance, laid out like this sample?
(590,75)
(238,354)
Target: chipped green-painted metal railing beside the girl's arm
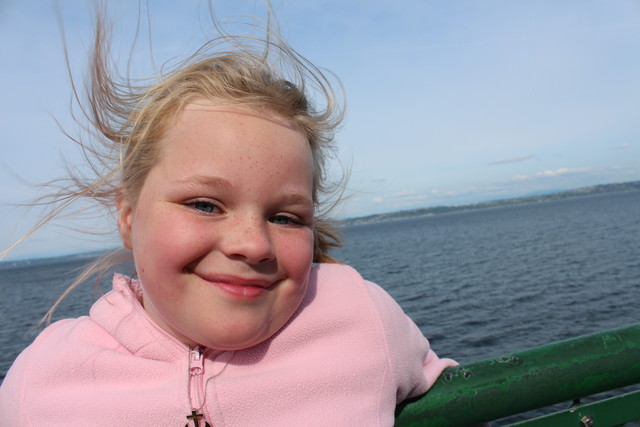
(564,371)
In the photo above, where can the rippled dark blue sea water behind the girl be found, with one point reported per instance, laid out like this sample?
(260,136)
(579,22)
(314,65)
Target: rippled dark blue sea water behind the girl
(478,283)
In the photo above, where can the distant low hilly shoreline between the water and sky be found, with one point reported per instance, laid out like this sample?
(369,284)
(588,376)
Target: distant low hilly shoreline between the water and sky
(412,213)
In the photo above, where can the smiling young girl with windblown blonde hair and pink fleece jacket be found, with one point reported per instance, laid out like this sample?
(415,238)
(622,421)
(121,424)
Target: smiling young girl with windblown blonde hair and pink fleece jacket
(237,316)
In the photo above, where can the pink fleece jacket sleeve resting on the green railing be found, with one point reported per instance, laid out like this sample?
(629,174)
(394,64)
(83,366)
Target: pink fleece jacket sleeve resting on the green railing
(413,364)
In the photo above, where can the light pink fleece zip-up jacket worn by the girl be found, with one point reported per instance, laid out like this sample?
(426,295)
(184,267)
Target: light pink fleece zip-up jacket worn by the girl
(346,358)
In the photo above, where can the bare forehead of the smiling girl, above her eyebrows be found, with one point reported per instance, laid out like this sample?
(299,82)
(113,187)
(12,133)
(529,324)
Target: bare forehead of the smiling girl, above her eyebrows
(205,133)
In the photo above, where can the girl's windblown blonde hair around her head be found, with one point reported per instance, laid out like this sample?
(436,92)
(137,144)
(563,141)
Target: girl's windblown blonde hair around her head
(128,120)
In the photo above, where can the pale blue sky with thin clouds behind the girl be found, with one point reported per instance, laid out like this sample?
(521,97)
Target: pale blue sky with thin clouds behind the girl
(448,102)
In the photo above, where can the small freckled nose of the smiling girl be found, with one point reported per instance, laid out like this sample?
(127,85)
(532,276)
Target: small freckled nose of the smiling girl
(247,238)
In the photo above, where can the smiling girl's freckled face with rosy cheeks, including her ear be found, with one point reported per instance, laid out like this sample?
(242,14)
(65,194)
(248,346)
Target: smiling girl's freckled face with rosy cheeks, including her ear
(222,231)
